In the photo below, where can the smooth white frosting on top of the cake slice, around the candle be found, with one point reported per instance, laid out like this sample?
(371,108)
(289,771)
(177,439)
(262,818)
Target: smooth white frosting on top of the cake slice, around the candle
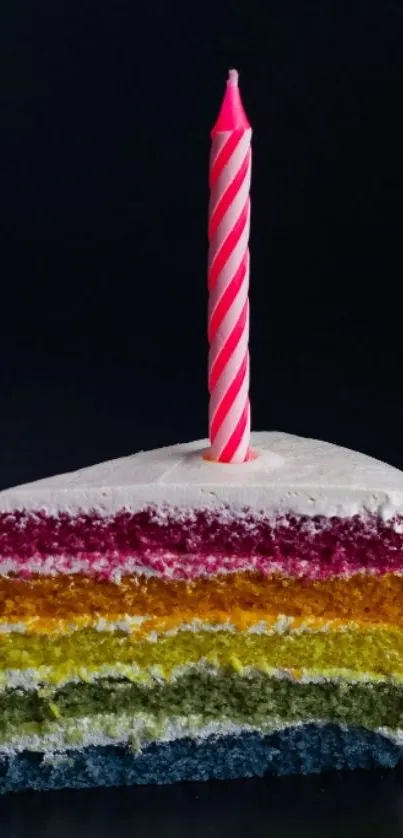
(289,475)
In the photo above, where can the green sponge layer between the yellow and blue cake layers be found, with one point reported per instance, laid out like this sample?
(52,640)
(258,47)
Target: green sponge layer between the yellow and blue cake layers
(223,696)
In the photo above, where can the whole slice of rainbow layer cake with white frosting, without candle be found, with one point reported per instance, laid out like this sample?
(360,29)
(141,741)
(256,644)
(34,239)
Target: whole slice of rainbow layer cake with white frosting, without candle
(164,618)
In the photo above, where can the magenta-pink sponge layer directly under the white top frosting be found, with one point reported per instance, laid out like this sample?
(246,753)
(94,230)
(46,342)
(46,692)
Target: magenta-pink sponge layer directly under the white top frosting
(189,543)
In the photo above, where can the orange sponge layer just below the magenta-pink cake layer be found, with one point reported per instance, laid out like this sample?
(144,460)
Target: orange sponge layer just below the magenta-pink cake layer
(242,598)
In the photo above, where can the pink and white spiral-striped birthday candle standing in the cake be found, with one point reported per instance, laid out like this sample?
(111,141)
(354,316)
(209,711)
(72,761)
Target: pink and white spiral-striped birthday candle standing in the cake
(228,281)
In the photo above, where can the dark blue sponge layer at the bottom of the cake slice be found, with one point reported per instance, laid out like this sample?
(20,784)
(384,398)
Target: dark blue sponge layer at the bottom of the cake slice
(299,750)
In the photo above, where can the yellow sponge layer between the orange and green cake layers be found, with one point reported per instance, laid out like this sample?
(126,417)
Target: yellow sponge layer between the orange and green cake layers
(379,651)
